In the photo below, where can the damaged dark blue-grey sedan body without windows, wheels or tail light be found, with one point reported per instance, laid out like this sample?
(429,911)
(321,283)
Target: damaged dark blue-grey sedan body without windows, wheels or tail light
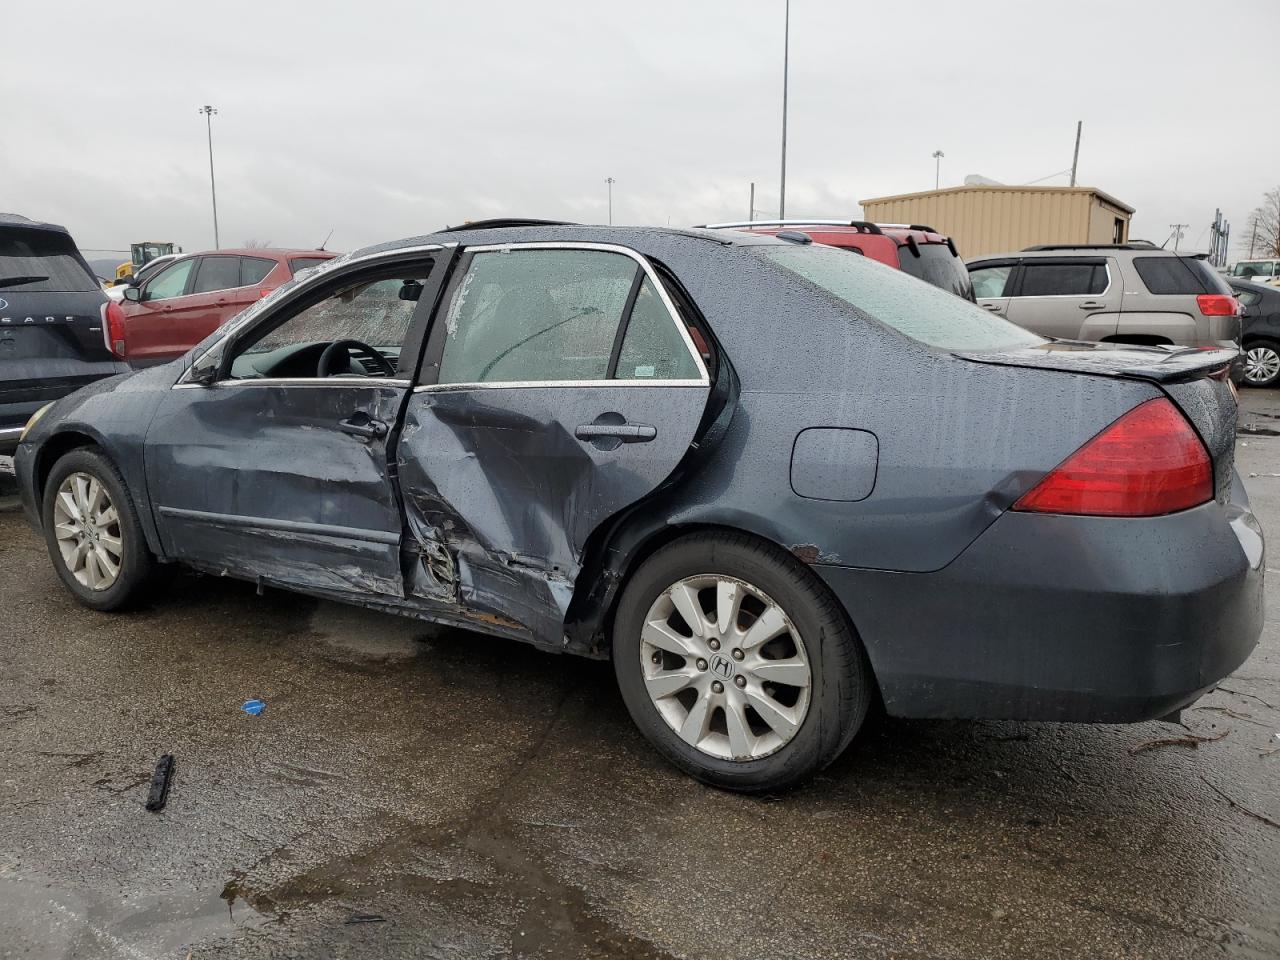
(493,509)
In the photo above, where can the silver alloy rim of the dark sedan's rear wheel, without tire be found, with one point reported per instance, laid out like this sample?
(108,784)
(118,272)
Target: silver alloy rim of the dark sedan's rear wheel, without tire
(725,668)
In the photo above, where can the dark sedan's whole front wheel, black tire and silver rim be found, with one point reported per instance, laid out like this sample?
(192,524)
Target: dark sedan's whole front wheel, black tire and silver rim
(93,533)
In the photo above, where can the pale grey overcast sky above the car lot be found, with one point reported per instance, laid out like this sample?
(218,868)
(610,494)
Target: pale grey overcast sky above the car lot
(382,120)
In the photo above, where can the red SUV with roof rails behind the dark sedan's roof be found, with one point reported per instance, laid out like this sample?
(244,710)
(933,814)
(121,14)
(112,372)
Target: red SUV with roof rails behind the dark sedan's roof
(916,250)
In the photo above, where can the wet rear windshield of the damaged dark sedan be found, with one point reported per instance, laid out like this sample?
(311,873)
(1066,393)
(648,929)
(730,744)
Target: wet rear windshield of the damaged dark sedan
(922,312)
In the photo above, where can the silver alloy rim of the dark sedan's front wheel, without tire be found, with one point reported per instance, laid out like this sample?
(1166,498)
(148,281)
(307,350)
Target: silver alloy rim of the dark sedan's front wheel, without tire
(88,528)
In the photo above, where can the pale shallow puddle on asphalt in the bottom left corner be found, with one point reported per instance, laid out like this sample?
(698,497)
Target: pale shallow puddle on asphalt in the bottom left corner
(53,921)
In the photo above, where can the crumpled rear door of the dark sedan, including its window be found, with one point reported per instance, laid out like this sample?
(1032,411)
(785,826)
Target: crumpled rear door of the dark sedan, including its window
(560,390)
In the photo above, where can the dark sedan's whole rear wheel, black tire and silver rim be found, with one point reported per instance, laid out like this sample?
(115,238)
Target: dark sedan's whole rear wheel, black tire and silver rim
(738,664)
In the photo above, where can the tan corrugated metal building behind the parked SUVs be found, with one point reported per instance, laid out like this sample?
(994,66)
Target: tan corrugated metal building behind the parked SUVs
(996,220)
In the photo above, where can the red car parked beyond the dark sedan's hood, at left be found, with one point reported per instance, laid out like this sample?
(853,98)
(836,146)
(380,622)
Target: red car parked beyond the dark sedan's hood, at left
(195,295)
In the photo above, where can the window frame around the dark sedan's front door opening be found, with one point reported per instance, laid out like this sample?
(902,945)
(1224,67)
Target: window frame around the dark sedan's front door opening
(444,254)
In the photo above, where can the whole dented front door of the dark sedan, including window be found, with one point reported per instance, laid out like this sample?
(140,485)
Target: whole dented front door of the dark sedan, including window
(280,469)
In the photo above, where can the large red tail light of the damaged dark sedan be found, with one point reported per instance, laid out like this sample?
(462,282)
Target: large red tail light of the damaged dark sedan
(1149,463)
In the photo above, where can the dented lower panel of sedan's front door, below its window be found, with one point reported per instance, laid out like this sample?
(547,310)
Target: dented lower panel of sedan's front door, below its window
(267,481)
